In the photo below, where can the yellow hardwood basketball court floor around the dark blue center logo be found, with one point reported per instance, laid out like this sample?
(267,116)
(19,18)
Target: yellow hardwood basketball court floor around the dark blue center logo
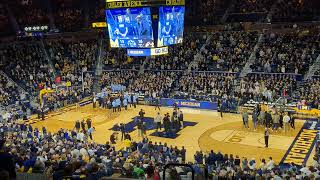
(208,132)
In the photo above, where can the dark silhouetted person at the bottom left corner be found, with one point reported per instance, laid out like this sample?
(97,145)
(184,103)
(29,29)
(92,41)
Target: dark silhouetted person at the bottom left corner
(7,163)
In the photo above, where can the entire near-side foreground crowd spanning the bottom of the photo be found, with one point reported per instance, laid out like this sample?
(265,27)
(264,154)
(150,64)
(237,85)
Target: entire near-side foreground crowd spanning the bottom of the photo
(71,154)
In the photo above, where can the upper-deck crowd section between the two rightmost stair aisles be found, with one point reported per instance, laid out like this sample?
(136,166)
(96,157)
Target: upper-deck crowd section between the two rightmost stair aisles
(286,53)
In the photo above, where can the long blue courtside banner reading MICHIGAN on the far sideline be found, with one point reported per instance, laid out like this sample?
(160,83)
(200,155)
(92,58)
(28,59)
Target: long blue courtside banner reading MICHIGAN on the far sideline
(189,103)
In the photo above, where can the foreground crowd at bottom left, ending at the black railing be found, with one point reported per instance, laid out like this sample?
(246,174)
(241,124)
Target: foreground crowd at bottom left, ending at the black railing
(71,154)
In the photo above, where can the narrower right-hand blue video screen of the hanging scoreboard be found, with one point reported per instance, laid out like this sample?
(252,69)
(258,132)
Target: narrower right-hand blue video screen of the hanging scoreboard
(171,25)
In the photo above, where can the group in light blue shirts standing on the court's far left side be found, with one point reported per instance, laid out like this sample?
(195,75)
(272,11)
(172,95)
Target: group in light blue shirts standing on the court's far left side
(117,102)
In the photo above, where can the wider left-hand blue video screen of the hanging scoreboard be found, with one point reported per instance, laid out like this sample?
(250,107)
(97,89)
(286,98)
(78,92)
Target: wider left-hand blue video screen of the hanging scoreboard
(130,27)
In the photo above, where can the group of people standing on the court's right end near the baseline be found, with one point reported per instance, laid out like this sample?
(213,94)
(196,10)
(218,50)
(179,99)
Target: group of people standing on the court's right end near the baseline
(273,118)
